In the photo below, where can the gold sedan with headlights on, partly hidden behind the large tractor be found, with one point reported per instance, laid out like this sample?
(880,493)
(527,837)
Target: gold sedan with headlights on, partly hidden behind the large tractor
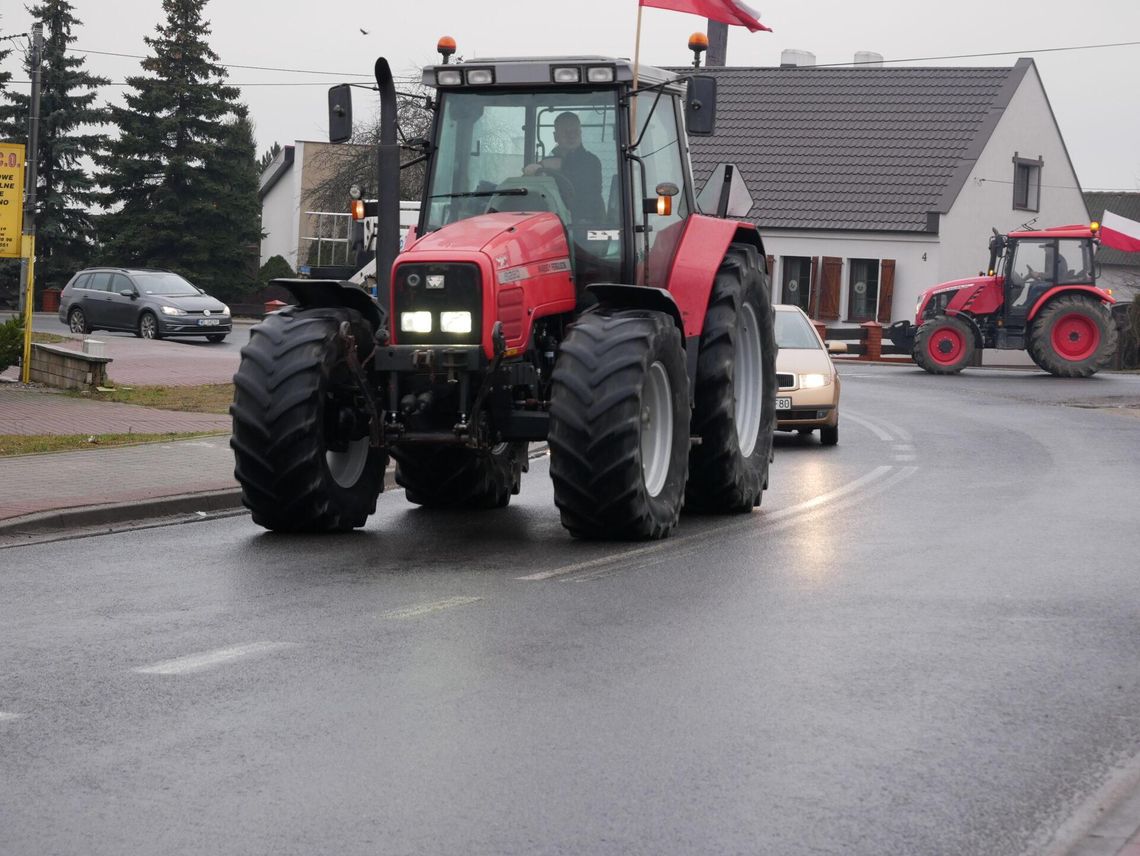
(809,395)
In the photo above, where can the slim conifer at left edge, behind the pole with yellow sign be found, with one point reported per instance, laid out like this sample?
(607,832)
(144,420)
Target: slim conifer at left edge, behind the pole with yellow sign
(69,137)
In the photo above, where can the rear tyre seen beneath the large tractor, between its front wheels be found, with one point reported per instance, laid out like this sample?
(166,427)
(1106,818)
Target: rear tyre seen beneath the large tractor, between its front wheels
(451,477)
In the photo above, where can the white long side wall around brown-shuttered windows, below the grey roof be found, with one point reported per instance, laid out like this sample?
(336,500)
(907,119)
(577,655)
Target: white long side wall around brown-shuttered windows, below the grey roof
(917,259)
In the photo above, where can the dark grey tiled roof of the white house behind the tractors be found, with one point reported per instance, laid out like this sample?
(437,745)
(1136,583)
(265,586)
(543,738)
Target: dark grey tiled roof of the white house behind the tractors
(853,149)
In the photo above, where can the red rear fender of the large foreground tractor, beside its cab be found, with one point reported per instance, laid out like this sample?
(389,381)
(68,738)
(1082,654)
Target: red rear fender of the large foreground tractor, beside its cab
(695,265)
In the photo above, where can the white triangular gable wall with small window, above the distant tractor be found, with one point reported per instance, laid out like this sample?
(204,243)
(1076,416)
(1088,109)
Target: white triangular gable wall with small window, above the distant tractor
(1028,129)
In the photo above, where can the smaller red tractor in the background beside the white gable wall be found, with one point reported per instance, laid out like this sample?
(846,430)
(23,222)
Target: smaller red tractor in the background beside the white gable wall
(1040,296)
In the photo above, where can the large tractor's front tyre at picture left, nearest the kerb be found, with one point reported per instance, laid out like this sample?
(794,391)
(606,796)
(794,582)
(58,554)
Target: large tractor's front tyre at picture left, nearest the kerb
(302,442)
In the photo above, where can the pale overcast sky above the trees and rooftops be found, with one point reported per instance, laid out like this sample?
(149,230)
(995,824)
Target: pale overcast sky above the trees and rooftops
(1095,93)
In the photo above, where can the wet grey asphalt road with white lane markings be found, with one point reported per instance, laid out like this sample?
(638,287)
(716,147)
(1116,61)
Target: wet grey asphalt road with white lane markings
(926,642)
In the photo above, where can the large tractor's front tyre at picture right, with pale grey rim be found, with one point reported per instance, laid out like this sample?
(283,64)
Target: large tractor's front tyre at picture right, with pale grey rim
(620,427)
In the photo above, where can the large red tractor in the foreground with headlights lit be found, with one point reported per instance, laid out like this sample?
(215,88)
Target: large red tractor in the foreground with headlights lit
(559,287)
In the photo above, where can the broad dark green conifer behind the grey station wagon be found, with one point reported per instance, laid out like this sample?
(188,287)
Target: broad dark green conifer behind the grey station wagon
(175,178)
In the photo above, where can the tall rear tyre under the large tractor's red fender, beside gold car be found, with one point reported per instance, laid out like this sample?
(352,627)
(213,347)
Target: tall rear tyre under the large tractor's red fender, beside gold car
(735,413)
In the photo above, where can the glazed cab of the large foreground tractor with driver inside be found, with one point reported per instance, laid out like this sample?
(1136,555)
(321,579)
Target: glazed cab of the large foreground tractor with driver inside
(528,135)
